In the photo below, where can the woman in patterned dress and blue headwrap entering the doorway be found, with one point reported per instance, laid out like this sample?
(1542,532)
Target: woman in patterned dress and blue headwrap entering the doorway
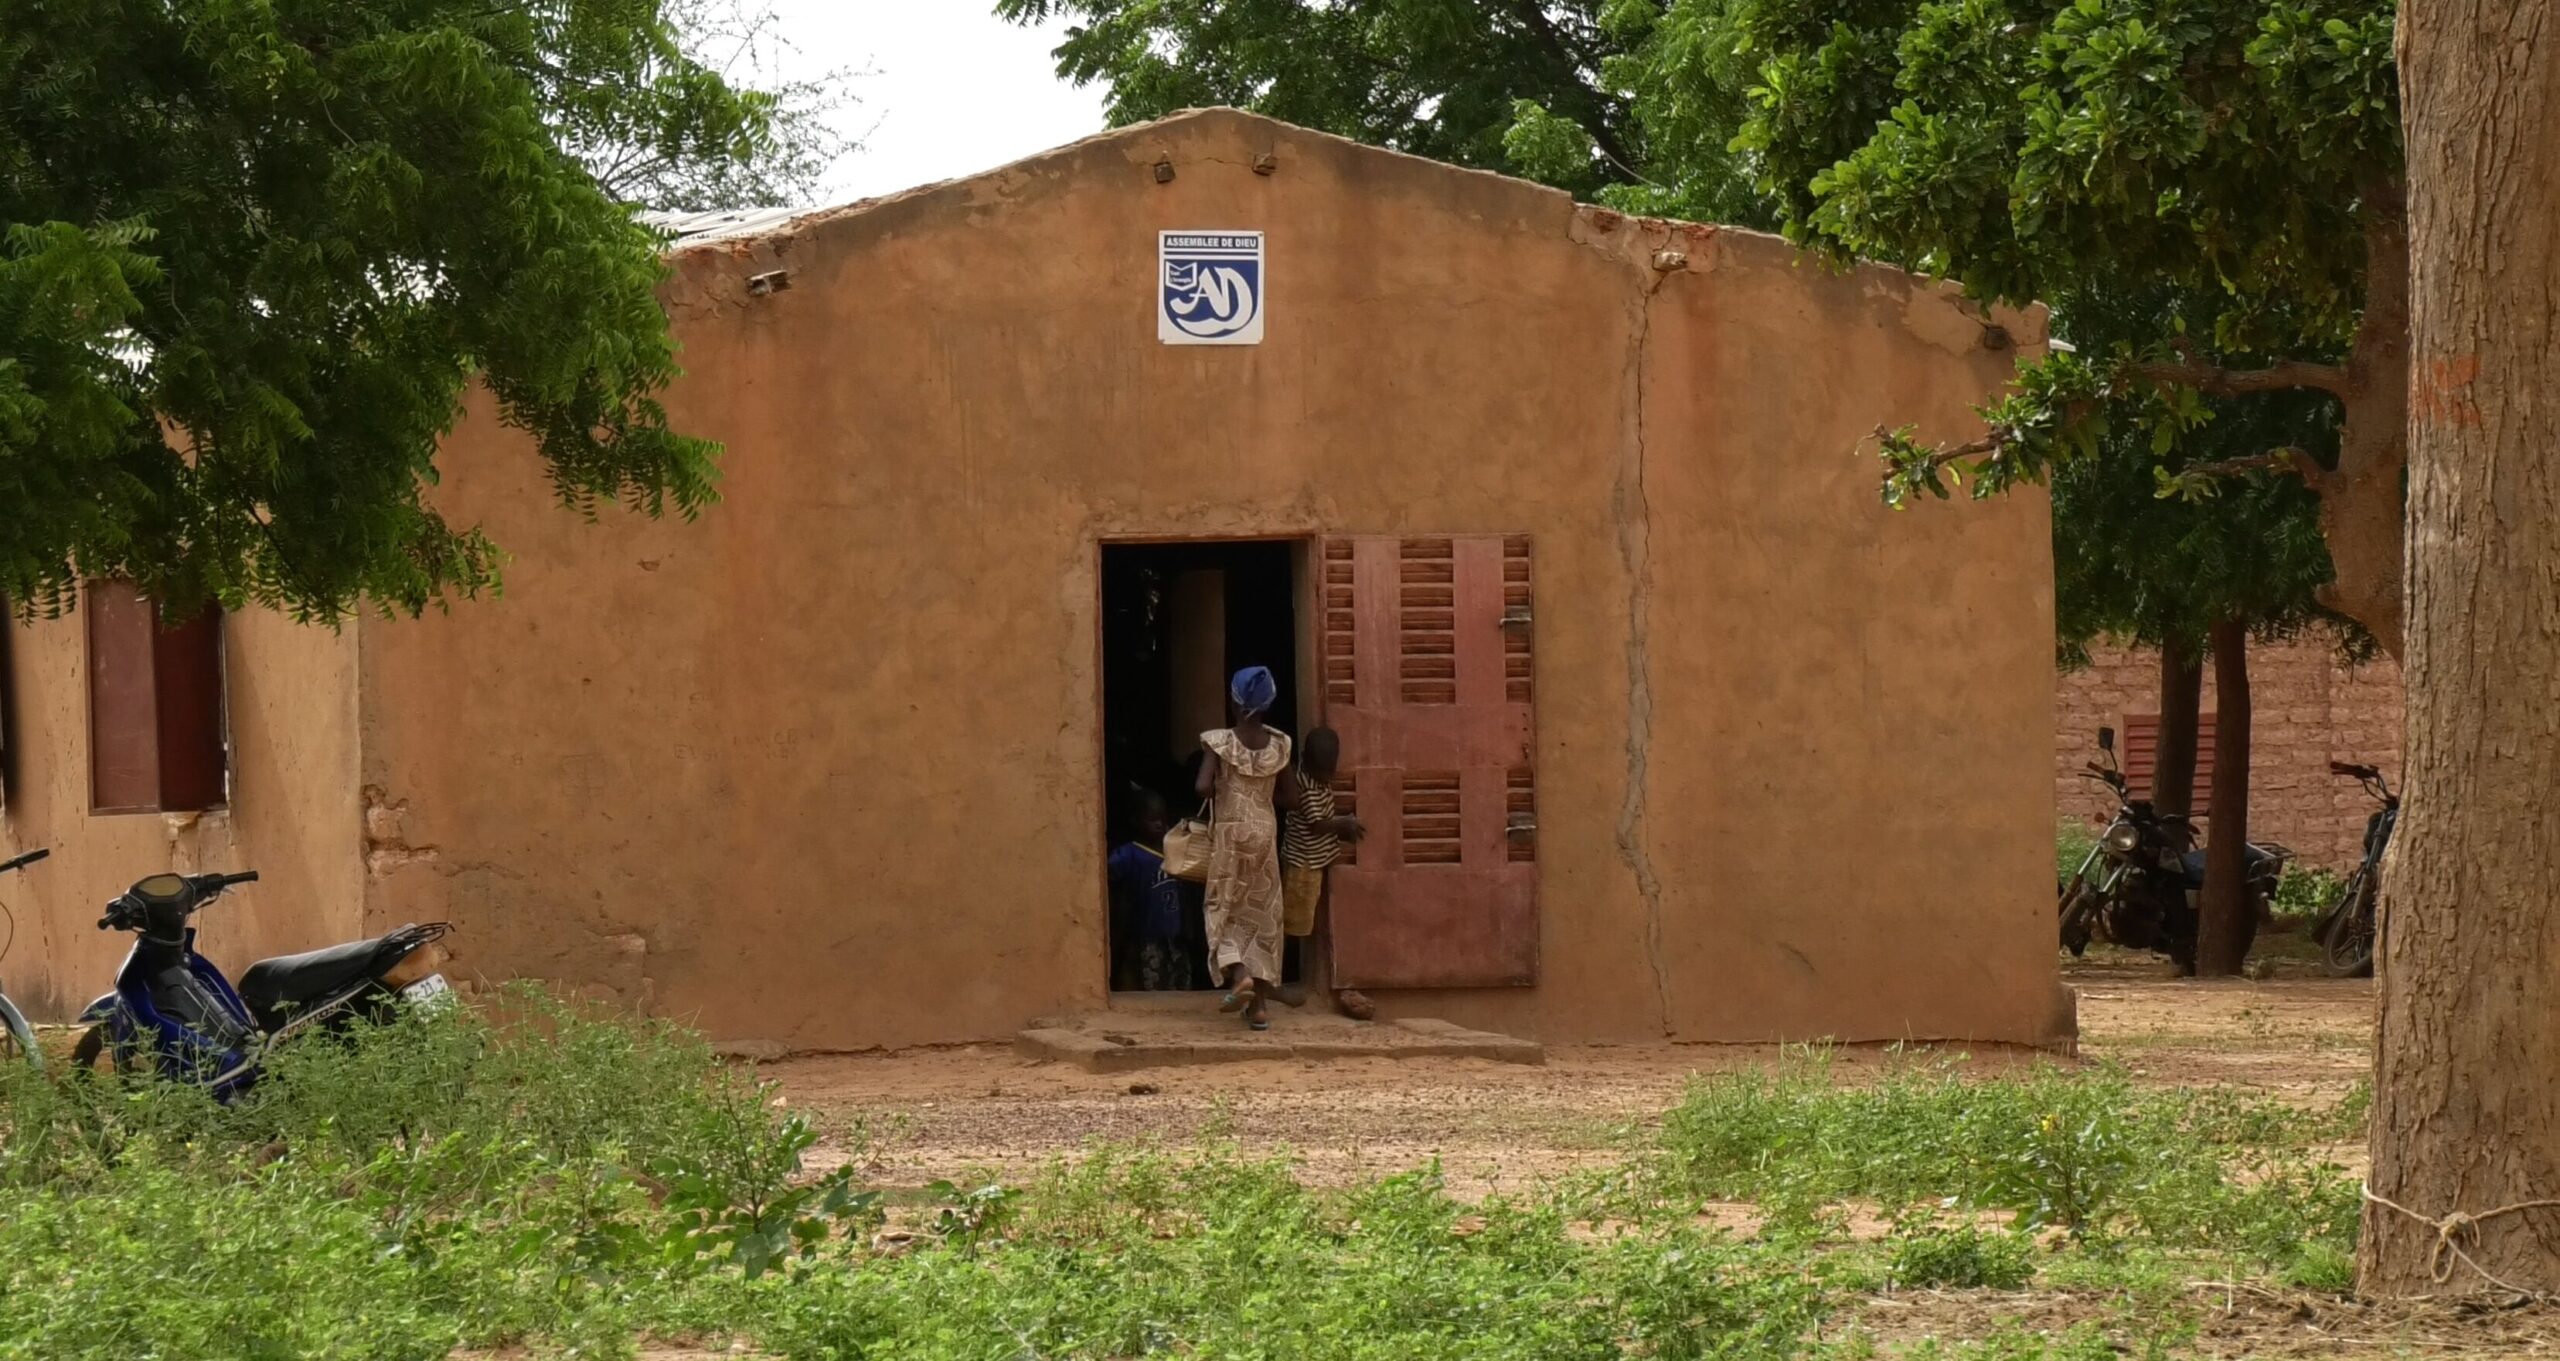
(1240,779)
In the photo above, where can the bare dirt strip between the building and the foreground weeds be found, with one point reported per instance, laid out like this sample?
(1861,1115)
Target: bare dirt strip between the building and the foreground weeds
(982,1112)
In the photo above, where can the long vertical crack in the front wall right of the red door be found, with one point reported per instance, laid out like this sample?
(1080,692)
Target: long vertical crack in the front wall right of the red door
(1635,549)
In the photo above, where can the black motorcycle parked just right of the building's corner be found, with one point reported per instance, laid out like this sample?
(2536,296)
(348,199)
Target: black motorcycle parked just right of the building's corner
(2144,881)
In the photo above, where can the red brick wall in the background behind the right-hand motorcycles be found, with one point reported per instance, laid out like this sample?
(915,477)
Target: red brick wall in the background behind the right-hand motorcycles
(2308,710)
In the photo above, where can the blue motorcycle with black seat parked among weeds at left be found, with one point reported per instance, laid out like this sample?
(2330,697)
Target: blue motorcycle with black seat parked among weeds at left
(178,1012)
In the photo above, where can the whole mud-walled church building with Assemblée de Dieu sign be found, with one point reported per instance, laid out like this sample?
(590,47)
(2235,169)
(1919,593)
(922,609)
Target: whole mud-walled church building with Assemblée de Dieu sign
(1660,723)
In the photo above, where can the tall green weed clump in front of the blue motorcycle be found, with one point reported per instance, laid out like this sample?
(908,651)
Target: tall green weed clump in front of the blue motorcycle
(457,1181)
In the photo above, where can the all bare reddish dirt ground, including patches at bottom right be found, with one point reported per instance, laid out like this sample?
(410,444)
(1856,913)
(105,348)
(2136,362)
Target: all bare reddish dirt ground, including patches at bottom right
(1496,1127)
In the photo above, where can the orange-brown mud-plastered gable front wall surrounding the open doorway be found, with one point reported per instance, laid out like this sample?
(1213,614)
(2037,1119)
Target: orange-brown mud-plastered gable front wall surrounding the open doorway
(823,769)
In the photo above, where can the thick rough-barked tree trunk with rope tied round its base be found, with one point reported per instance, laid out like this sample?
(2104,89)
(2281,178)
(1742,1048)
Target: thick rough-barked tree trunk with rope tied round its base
(2467,1114)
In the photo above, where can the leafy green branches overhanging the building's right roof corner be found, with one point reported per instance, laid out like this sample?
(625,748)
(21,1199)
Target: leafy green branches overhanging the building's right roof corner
(2239,155)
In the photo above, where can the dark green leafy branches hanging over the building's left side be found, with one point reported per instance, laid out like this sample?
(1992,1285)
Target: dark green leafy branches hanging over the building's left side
(257,252)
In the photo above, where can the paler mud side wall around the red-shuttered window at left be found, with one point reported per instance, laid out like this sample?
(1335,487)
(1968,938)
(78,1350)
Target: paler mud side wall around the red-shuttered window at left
(293,815)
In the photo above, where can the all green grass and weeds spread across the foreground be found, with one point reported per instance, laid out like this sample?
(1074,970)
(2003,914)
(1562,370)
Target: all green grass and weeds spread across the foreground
(552,1178)
